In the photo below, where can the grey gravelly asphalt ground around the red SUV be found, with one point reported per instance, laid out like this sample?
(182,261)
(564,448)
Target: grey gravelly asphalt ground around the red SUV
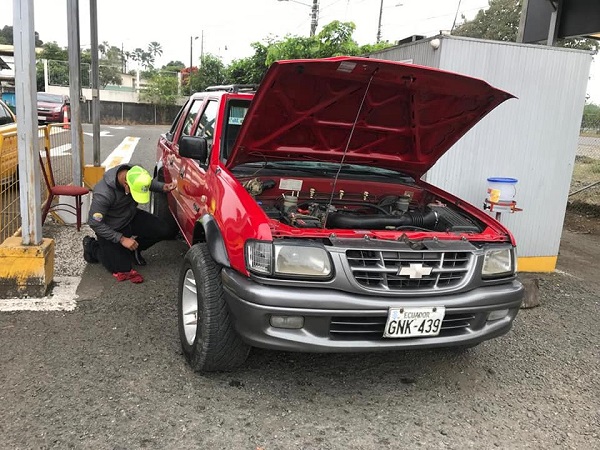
(110,375)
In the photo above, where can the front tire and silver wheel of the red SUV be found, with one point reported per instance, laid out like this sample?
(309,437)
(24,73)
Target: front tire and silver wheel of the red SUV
(208,339)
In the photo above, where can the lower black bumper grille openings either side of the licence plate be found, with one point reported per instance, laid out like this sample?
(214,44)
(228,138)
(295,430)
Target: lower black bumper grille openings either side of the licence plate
(371,328)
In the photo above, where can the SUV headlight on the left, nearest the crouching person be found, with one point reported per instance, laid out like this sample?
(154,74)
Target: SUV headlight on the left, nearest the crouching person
(287,260)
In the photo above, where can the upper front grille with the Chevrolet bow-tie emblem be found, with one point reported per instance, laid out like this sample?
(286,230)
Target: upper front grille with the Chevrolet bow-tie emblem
(396,271)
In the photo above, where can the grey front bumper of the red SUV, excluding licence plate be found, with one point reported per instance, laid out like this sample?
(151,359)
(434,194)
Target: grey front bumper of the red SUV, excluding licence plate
(336,321)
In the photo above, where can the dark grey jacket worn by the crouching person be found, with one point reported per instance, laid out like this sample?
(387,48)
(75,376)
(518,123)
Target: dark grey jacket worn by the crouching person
(112,209)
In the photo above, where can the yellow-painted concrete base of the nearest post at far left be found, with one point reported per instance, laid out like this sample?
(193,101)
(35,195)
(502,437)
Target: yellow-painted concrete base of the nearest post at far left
(25,270)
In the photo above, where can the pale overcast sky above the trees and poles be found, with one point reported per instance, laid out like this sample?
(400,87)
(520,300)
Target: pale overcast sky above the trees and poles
(227,27)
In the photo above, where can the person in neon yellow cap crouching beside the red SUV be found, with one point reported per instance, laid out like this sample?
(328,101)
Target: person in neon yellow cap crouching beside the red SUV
(123,230)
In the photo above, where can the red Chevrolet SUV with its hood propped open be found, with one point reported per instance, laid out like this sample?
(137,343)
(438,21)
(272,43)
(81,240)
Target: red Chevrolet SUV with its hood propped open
(309,226)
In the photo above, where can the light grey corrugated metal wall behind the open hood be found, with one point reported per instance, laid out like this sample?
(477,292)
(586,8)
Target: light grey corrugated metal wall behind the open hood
(532,138)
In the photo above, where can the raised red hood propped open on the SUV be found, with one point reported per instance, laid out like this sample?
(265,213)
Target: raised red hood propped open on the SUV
(361,111)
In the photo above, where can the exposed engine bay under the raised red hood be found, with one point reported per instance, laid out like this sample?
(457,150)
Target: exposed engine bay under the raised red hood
(360,205)
